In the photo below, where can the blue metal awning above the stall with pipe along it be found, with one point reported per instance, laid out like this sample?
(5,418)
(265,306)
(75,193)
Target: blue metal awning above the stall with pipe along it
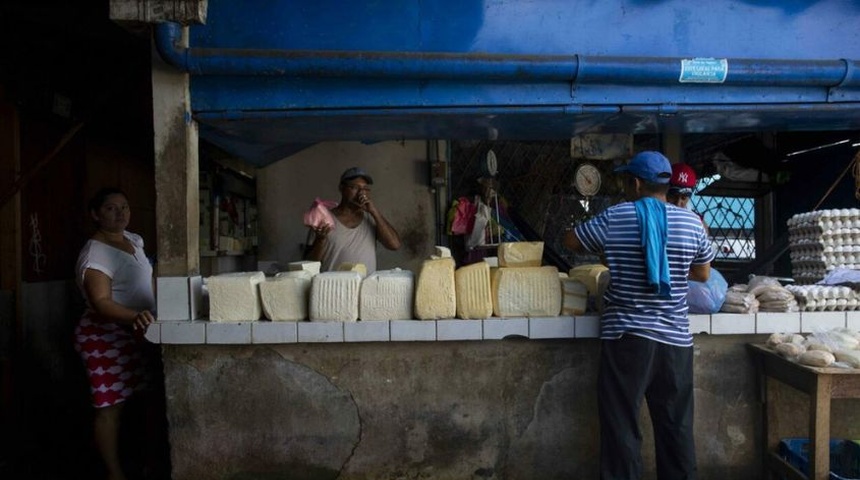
(268,78)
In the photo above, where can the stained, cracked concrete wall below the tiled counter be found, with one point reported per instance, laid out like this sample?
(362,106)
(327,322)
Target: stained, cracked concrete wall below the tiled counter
(512,409)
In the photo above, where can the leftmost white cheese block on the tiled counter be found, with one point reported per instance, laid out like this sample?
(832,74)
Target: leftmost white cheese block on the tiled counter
(235,297)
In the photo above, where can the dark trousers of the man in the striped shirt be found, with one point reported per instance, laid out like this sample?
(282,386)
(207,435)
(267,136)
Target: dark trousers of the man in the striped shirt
(633,368)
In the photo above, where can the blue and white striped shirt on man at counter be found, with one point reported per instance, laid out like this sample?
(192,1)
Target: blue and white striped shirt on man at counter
(631,306)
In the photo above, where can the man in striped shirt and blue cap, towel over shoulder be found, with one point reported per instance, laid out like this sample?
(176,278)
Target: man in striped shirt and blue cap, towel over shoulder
(651,248)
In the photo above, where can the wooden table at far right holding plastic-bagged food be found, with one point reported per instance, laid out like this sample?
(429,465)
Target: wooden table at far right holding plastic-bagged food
(822,385)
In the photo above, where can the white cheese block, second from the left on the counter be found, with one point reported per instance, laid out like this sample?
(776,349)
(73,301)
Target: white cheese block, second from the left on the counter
(285,296)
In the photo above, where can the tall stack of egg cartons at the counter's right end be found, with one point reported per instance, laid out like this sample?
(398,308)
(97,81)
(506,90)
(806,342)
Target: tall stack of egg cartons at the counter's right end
(822,241)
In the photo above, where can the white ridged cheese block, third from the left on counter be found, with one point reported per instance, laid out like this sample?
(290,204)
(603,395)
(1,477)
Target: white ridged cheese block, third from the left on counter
(334,296)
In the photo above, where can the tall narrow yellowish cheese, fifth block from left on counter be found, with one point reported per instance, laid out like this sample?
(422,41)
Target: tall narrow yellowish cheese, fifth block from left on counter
(435,296)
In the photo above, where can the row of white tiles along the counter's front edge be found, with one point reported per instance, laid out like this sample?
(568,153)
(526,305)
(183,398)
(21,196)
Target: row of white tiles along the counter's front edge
(192,332)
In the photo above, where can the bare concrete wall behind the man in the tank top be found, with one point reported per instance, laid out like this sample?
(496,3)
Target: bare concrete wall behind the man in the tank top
(401,191)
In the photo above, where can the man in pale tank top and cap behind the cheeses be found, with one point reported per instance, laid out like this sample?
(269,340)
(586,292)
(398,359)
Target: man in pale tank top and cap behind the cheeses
(358,225)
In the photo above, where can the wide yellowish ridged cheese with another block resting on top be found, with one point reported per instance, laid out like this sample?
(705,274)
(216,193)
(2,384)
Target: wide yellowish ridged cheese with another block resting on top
(526,292)
